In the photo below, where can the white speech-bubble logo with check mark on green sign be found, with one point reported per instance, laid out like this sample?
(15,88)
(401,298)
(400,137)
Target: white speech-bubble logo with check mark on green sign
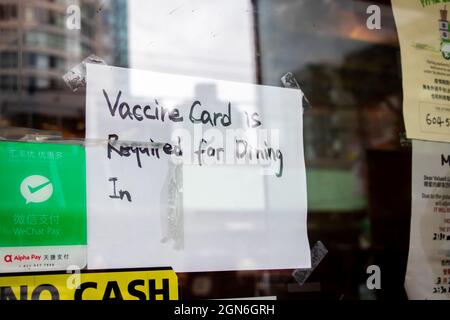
(36,189)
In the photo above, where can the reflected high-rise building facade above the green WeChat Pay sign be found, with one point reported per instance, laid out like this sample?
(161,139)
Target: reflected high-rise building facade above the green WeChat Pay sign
(37,49)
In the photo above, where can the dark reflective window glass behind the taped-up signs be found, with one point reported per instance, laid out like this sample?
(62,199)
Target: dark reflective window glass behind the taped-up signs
(352,132)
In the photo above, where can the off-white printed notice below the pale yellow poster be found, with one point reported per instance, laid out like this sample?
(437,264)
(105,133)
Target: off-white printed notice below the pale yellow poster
(428,270)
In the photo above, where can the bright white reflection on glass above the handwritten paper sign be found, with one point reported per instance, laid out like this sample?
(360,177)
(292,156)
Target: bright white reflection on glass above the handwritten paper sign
(199,38)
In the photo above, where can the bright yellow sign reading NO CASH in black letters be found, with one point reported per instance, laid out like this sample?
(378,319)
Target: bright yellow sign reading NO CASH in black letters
(148,284)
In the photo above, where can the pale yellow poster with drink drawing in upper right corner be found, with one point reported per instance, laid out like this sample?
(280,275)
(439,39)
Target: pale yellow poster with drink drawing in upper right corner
(424,33)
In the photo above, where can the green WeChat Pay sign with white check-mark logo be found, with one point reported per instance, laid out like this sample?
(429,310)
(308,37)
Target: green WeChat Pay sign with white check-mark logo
(42,194)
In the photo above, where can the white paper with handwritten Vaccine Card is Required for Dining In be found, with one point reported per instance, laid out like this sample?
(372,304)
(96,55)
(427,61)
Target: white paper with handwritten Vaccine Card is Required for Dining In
(193,173)
